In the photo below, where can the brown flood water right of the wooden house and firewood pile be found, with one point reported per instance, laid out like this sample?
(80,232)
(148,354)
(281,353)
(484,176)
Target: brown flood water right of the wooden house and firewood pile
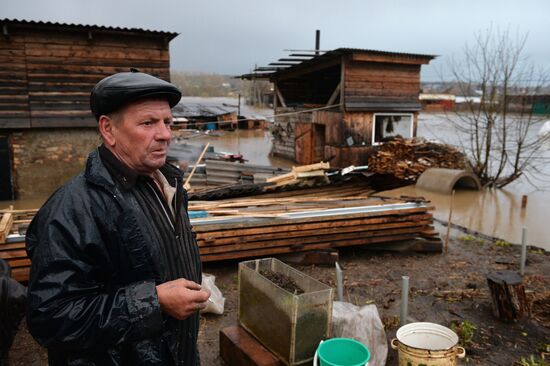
(497,212)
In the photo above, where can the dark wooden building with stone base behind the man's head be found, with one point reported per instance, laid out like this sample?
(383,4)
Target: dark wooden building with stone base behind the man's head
(47,71)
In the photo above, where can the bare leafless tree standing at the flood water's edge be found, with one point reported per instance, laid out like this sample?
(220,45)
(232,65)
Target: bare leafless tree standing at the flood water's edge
(501,129)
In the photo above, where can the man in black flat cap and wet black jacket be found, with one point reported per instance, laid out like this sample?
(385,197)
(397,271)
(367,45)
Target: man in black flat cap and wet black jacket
(115,264)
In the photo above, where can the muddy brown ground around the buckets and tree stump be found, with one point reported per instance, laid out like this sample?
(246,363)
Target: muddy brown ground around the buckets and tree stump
(444,288)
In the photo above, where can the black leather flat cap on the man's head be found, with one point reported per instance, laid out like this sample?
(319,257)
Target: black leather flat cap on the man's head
(117,90)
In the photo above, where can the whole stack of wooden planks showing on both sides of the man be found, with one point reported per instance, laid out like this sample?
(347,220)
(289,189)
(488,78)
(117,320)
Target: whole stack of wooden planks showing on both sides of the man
(279,222)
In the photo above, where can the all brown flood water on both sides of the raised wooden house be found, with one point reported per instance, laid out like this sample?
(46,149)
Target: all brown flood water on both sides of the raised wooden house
(496,213)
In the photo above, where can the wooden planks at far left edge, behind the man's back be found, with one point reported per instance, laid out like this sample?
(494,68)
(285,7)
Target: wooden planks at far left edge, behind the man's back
(14,223)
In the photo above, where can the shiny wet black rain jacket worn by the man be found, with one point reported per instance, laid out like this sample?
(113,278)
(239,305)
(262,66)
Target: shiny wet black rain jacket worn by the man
(92,290)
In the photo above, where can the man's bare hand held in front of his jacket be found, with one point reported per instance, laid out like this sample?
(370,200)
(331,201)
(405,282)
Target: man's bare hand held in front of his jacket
(181,298)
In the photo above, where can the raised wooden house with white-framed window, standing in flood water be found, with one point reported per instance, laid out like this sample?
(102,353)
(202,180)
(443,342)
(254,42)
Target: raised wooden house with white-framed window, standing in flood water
(335,105)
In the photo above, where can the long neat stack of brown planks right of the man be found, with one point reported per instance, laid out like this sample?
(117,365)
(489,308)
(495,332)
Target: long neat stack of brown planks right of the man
(280,226)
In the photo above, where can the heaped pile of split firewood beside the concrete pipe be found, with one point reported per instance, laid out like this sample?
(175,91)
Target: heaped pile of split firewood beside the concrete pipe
(407,159)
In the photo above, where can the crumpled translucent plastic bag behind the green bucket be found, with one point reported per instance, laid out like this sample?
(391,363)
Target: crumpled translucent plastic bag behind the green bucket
(362,324)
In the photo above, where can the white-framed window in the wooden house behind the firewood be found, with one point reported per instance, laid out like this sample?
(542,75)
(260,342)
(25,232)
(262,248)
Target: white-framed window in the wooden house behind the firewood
(389,125)
